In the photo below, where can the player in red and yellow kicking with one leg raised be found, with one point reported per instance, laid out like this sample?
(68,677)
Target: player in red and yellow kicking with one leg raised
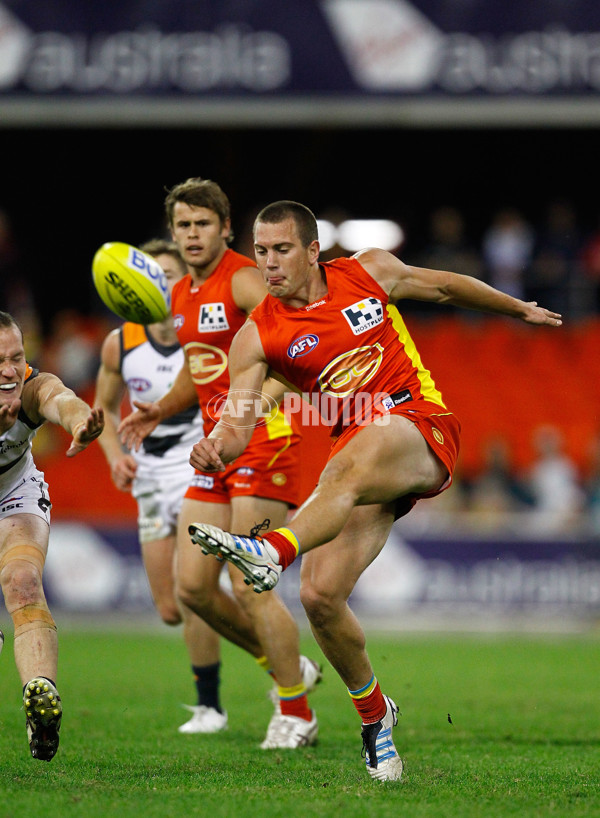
(394,441)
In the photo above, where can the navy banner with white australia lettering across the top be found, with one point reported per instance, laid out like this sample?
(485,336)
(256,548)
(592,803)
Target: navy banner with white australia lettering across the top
(301,53)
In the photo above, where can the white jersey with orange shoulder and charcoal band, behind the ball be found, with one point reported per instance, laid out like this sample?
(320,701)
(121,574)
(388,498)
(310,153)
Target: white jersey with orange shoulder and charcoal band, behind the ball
(148,370)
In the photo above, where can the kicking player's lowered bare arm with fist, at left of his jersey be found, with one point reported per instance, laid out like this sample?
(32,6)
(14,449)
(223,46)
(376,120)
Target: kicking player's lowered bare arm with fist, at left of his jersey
(247,371)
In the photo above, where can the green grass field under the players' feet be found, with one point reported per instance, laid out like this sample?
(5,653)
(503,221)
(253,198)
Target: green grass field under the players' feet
(523,740)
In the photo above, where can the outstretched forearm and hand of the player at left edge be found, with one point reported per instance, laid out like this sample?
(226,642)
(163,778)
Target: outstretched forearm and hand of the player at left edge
(51,400)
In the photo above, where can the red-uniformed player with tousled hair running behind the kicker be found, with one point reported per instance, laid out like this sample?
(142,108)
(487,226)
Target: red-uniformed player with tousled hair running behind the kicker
(209,305)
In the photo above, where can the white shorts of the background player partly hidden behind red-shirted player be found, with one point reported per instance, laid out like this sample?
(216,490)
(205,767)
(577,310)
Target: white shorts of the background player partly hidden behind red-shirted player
(159,502)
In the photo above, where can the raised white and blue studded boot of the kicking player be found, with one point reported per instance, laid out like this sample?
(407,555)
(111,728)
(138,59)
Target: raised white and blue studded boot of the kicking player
(254,556)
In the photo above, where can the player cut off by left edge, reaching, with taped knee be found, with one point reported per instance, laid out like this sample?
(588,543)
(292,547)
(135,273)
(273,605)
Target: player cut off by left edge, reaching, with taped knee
(27,399)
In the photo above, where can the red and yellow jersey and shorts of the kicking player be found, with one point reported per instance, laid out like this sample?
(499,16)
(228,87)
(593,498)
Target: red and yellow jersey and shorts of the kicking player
(352,356)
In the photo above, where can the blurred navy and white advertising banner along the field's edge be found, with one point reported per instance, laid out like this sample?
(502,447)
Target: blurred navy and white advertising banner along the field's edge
(413,581)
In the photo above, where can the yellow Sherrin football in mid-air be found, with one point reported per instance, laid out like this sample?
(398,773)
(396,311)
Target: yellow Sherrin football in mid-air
(131,283)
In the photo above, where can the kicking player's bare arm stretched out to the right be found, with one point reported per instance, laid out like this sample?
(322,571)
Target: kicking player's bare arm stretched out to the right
(401,280)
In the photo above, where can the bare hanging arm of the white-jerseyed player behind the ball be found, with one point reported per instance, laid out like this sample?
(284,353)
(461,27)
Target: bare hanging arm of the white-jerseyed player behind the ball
(110,390)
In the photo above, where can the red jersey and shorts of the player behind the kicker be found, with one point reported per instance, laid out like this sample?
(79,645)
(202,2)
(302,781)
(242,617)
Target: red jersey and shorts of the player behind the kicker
(206,320)
